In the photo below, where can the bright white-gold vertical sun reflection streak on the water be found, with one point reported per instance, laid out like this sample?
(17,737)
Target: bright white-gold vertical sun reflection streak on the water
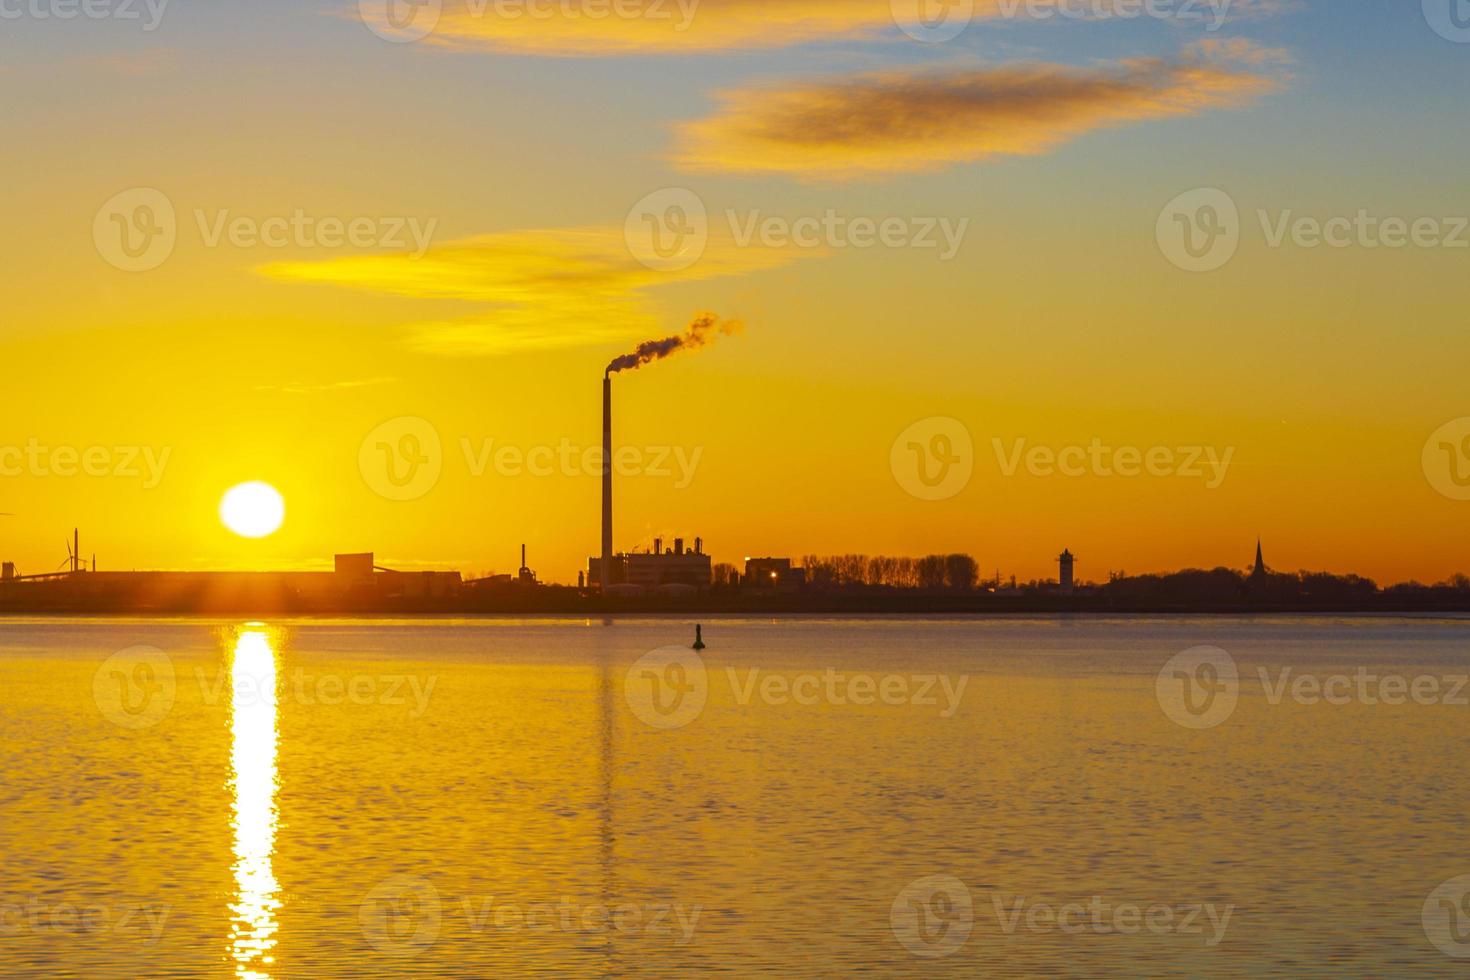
(254,729)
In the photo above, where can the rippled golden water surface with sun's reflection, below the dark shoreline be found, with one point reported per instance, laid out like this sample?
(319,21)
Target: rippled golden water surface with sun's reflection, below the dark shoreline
(806,799)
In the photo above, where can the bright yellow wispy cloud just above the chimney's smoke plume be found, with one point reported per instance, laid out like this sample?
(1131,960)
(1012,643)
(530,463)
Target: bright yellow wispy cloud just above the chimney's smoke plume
(537,290)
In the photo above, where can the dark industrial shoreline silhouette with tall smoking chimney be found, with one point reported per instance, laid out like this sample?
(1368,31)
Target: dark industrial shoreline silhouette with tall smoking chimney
(681,580)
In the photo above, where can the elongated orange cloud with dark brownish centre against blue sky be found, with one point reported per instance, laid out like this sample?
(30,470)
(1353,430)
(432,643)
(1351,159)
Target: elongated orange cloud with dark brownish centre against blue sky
(915,121)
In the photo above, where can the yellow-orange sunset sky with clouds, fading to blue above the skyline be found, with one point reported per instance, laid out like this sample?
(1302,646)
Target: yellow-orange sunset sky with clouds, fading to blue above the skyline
(518,148)
